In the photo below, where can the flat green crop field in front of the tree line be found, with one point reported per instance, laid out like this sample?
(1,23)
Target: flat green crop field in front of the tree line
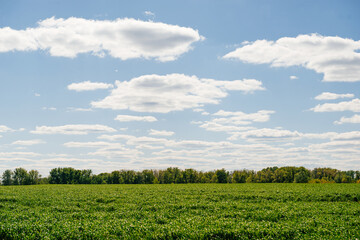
(182,211)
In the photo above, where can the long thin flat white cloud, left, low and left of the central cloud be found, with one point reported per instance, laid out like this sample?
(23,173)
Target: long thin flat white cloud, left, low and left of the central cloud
(75,129)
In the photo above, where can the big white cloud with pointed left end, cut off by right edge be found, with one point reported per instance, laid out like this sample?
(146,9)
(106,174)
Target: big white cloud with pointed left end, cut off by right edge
(337,58)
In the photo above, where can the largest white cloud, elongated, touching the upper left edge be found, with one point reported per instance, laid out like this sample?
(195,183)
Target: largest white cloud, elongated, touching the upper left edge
(120,38)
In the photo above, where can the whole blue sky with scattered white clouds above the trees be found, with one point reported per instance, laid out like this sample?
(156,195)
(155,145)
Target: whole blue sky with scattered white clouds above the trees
(109,85)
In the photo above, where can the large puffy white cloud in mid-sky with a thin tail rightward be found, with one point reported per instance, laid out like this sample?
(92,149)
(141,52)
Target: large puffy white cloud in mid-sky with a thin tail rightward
(172,92)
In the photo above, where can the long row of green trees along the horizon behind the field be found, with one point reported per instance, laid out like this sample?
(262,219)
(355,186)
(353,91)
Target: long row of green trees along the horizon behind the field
(68,175)
